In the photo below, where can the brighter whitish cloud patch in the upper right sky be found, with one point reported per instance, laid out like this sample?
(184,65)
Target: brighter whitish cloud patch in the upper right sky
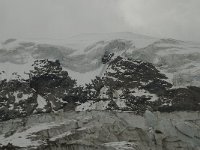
(165,18)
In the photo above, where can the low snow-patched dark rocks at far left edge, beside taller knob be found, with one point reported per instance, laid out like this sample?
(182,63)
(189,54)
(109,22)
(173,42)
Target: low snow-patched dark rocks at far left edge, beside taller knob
(17,99)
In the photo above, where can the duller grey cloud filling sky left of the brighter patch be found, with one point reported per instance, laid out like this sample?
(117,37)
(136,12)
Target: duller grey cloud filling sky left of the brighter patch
(59,18)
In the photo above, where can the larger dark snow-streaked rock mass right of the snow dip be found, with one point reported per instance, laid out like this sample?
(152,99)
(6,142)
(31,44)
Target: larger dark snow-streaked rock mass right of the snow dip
(140,86)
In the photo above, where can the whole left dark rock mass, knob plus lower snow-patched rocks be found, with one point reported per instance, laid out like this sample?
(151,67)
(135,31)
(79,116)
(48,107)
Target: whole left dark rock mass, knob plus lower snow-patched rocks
(48,89)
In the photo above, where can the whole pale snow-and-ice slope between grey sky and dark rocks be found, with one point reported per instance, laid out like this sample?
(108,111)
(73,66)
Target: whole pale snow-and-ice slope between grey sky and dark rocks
(81,55)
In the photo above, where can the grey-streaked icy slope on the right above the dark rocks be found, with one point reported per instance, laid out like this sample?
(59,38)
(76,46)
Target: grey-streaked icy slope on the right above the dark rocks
(179,60)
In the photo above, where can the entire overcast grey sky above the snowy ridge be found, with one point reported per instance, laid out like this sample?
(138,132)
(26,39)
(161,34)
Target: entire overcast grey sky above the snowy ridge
(63,18)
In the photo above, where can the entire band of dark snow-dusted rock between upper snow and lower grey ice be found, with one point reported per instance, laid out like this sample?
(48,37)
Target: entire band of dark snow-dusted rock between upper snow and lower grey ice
(126,85)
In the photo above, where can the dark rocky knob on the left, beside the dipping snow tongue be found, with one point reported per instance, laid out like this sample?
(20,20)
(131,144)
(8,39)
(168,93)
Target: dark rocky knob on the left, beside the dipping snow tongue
(50,81)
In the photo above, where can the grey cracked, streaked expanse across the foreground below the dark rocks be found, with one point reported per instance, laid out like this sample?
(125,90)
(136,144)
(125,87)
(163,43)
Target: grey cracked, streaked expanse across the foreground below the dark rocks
(103,130)
